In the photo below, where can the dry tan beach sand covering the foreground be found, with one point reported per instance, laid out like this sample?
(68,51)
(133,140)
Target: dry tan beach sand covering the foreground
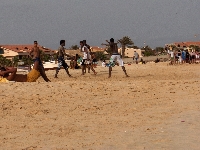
(156,108)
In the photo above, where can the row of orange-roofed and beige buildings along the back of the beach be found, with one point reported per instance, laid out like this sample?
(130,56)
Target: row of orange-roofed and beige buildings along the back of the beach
(10,51)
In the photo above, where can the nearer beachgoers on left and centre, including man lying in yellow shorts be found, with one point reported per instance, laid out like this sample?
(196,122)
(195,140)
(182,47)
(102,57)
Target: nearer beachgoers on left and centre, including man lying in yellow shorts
(88,61)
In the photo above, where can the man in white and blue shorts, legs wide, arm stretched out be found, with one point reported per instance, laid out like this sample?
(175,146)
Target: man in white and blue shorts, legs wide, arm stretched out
(115,56)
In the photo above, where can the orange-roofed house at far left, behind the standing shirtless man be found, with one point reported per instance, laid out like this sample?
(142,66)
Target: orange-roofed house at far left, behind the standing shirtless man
(10,51)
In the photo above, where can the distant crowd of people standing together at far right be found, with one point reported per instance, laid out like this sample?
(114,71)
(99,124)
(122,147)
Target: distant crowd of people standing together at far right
(183,56)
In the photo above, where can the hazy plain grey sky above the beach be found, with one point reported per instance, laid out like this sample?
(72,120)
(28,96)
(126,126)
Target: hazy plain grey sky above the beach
(147,22)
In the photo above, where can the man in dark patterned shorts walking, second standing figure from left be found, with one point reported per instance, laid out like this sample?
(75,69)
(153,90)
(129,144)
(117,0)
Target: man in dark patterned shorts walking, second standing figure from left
(61,60)
